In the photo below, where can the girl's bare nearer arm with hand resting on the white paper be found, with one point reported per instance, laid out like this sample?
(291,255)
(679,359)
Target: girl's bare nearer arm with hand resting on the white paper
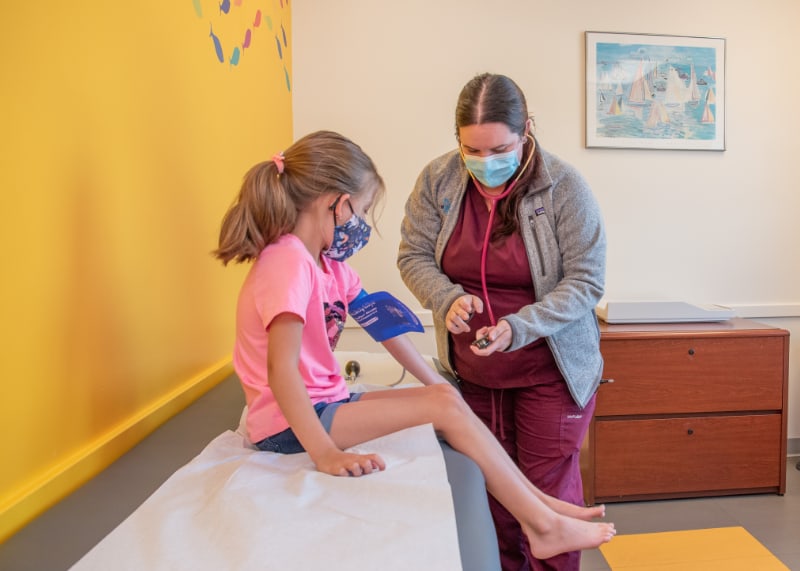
(285,334)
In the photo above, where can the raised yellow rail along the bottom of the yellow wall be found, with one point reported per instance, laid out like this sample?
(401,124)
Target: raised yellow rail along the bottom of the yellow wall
(59,481)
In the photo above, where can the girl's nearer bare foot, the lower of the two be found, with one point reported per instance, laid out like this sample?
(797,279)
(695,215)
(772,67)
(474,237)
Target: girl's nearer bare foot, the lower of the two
(568,534)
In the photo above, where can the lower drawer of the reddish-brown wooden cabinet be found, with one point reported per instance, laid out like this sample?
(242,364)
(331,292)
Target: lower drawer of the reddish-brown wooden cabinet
(686,455)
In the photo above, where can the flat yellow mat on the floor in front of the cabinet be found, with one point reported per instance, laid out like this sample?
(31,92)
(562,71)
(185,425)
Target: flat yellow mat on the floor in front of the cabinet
(719,549)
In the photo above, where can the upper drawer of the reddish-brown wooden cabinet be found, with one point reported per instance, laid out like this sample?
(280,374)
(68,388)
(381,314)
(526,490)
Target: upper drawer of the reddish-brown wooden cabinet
(691,375)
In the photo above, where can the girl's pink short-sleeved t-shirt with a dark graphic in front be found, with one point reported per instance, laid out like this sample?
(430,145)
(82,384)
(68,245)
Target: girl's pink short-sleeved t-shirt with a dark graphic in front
(286,278)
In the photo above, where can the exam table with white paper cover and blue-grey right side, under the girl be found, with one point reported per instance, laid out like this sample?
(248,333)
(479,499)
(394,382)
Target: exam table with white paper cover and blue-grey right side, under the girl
(233,507)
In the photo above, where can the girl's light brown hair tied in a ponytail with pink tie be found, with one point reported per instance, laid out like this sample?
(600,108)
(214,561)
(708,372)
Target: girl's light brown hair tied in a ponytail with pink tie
(274,192)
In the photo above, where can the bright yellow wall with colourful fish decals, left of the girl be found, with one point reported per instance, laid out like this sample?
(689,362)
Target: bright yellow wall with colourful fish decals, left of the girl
(124,140)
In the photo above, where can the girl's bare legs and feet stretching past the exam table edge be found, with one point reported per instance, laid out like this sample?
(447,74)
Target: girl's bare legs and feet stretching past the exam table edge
(550,531)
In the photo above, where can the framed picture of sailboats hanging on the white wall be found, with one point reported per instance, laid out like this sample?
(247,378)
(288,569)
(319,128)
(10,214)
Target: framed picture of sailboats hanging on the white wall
(646,91)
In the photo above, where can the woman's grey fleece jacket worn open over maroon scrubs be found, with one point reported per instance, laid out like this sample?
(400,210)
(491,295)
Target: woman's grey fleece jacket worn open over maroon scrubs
(562,229)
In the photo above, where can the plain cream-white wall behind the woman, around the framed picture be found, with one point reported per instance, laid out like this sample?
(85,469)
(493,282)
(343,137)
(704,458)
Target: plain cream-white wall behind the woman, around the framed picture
(702,226)
